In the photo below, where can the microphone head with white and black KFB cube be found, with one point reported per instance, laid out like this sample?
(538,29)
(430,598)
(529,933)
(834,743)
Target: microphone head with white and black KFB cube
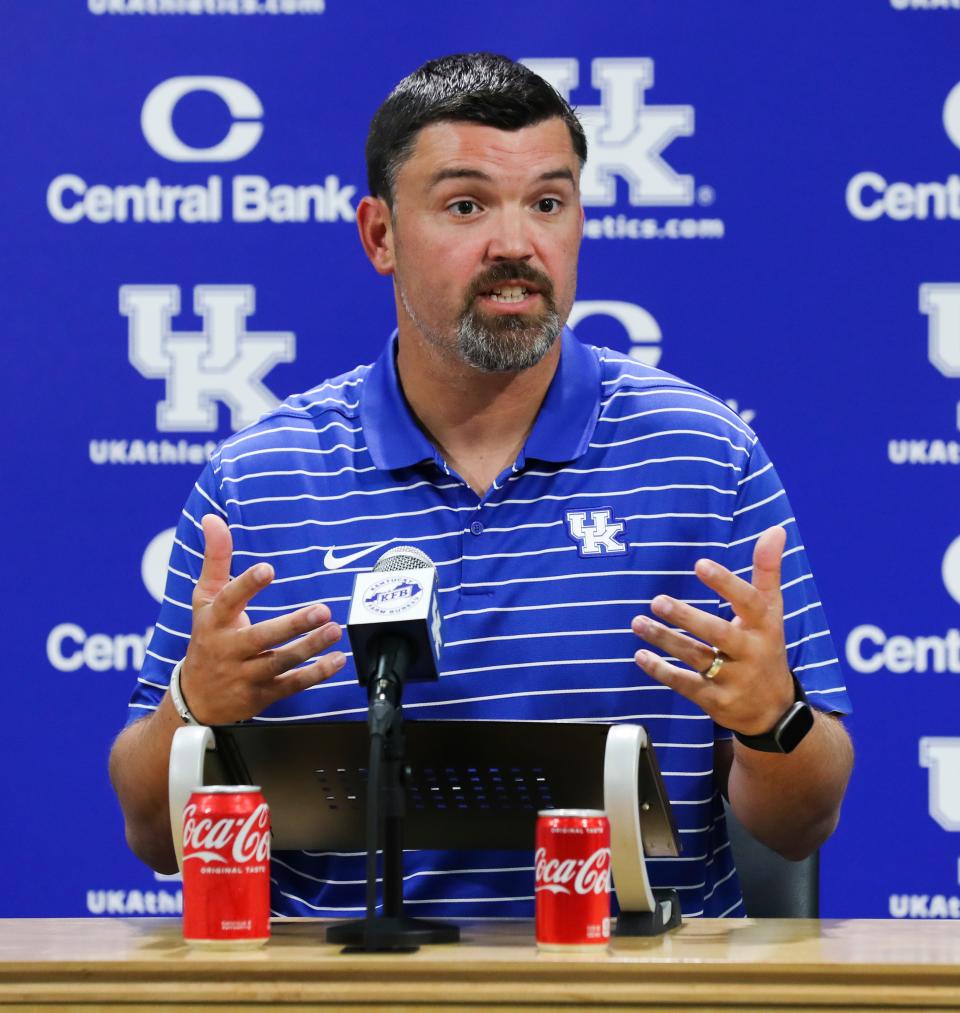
(398,598)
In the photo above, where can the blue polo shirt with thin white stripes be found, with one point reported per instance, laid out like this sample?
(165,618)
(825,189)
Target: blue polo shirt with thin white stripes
(629,476)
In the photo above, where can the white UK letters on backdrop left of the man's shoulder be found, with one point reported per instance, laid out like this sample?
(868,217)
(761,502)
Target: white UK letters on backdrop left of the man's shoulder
(223,363)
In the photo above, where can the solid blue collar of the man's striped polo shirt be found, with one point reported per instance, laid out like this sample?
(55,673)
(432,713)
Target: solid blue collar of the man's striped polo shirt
(563,431)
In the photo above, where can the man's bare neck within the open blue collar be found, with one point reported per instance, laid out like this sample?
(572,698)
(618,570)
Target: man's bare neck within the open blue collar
(477,421)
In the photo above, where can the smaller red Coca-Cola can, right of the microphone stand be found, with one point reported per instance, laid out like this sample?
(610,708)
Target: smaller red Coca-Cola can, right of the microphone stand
(573,880)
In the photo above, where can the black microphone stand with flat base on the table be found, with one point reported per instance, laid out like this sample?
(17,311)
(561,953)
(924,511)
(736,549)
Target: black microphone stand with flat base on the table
(392,930)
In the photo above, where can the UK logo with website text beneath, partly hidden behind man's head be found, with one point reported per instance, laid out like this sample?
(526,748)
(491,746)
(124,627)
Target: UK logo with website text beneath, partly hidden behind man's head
(626,138)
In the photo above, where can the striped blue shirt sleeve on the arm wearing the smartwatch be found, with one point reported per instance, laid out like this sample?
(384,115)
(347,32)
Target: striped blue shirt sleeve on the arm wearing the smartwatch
(761,504)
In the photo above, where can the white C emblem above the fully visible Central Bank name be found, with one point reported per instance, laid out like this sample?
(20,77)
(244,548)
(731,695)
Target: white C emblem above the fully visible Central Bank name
(156,119)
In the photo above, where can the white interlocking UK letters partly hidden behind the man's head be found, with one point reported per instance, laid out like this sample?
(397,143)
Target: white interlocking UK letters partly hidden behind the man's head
(625,136)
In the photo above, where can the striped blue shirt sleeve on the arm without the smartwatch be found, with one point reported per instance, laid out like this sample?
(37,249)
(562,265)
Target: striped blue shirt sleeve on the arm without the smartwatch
(173,631)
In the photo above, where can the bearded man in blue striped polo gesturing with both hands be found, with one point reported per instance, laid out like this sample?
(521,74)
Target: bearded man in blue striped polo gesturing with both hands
(561,490)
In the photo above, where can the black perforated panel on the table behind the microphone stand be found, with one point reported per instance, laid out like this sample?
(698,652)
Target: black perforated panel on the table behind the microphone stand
(470,785)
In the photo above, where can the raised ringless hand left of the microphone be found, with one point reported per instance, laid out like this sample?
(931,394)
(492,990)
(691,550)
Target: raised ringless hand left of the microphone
(233,668)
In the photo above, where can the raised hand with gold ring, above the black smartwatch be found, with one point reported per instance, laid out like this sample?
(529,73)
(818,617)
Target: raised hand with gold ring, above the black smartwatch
(750,685)
